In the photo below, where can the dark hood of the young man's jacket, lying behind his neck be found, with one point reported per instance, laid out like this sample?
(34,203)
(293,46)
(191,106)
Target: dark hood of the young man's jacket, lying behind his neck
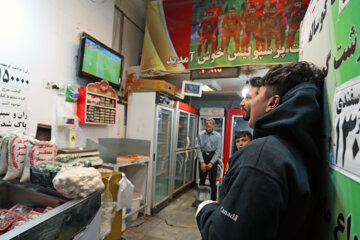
(296,119)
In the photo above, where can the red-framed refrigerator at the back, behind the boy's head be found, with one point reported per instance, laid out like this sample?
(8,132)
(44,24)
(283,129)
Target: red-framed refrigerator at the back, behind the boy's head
(234,123)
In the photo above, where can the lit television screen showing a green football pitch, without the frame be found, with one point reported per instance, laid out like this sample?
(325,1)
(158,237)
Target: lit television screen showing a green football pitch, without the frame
(102,63)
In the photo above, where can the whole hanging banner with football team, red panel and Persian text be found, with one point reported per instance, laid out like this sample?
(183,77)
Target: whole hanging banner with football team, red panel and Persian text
(183,35)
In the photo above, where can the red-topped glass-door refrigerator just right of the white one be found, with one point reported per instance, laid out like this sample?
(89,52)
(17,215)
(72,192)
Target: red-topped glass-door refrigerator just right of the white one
(183,171)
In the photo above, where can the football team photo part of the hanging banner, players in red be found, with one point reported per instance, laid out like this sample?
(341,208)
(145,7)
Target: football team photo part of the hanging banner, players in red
(237,32)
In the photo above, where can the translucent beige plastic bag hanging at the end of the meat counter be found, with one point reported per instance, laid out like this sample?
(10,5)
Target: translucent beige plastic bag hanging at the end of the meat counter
(108,211)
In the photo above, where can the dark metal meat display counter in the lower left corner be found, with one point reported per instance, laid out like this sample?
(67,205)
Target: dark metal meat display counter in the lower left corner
(69,219)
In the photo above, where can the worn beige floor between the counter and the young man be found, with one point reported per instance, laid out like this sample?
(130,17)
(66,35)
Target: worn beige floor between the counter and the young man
(174,222)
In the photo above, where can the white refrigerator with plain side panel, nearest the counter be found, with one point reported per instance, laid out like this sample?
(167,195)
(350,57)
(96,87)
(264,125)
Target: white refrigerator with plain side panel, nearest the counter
(151,117)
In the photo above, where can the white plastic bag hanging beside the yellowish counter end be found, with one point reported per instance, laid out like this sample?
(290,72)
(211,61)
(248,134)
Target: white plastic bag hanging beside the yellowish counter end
(125,193)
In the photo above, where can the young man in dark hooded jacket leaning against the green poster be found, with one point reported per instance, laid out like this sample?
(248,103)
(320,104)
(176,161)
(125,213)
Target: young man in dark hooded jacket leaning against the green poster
(268,192)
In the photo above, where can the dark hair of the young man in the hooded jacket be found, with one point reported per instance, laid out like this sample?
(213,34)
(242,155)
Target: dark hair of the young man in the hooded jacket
(281,78)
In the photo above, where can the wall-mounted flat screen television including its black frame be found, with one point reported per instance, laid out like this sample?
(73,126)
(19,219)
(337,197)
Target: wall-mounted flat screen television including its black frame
(97,62)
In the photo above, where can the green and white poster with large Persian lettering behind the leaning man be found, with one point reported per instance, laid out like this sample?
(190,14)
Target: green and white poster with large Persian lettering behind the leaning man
(329,38)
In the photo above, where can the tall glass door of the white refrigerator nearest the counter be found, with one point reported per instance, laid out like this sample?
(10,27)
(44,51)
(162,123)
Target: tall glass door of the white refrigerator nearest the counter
(163,153)
